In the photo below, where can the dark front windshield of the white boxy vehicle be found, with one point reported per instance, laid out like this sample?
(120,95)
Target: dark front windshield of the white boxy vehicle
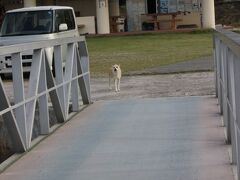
(27,23)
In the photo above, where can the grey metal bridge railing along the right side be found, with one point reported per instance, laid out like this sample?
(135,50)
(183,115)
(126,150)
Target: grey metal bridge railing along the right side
(227,68)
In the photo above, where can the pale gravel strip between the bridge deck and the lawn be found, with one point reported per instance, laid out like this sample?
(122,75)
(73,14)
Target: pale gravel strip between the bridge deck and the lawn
(151,86)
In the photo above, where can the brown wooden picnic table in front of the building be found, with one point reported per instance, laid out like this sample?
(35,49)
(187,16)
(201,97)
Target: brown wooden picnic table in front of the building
(154,18)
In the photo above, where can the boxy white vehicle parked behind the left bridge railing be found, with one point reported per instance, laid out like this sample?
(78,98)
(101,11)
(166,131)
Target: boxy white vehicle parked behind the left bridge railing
(35,24)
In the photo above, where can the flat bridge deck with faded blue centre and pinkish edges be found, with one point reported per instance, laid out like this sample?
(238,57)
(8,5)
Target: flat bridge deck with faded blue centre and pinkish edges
(142,139)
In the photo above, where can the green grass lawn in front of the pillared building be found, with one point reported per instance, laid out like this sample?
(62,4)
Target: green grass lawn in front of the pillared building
(138,52)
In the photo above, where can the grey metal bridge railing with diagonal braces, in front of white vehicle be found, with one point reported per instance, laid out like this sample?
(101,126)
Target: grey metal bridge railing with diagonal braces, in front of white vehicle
(62,92)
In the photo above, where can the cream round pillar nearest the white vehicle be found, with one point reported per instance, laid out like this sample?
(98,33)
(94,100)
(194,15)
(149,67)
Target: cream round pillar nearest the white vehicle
(102,12)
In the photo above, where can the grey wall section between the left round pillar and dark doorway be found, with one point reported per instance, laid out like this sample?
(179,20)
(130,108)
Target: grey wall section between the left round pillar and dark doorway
(134,10)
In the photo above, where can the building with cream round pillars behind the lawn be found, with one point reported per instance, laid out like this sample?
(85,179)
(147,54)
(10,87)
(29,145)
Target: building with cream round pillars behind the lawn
(105,16)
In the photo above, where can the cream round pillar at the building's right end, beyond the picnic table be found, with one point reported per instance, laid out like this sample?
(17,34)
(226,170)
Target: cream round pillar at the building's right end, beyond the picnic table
(208,14)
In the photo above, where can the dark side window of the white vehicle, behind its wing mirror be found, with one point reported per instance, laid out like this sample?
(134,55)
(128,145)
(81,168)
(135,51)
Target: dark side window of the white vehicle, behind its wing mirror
(64,17)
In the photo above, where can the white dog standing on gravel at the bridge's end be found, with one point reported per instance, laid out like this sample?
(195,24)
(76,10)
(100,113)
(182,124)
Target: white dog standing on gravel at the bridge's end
(115,73)
